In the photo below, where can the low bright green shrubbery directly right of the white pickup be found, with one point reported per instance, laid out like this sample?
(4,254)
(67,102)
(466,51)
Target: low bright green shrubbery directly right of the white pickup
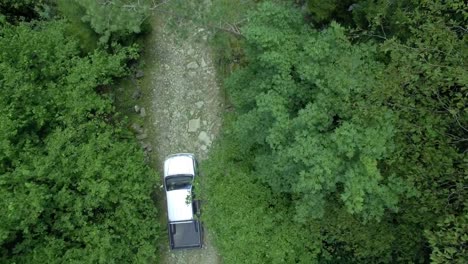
(249,223)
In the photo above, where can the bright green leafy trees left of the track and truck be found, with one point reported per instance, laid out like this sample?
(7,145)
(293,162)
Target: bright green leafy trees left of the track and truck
(73,185)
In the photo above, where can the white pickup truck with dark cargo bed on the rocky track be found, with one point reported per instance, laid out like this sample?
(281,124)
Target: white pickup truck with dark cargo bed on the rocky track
(179,172)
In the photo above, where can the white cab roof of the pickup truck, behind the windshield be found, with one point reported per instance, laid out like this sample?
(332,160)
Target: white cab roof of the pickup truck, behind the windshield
(177,207)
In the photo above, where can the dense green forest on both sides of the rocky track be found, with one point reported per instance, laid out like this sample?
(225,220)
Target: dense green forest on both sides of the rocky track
(345,138)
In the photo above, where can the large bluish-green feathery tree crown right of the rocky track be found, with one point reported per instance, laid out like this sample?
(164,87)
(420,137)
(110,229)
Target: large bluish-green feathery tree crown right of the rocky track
(307,115)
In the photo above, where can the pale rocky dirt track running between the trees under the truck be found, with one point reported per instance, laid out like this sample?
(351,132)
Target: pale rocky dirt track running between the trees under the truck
(186,107)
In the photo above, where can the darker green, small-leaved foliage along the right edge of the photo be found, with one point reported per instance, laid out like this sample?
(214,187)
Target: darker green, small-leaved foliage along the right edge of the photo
(426,85)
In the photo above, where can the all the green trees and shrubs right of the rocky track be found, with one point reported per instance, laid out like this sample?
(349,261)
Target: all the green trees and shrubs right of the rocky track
(347,142)
